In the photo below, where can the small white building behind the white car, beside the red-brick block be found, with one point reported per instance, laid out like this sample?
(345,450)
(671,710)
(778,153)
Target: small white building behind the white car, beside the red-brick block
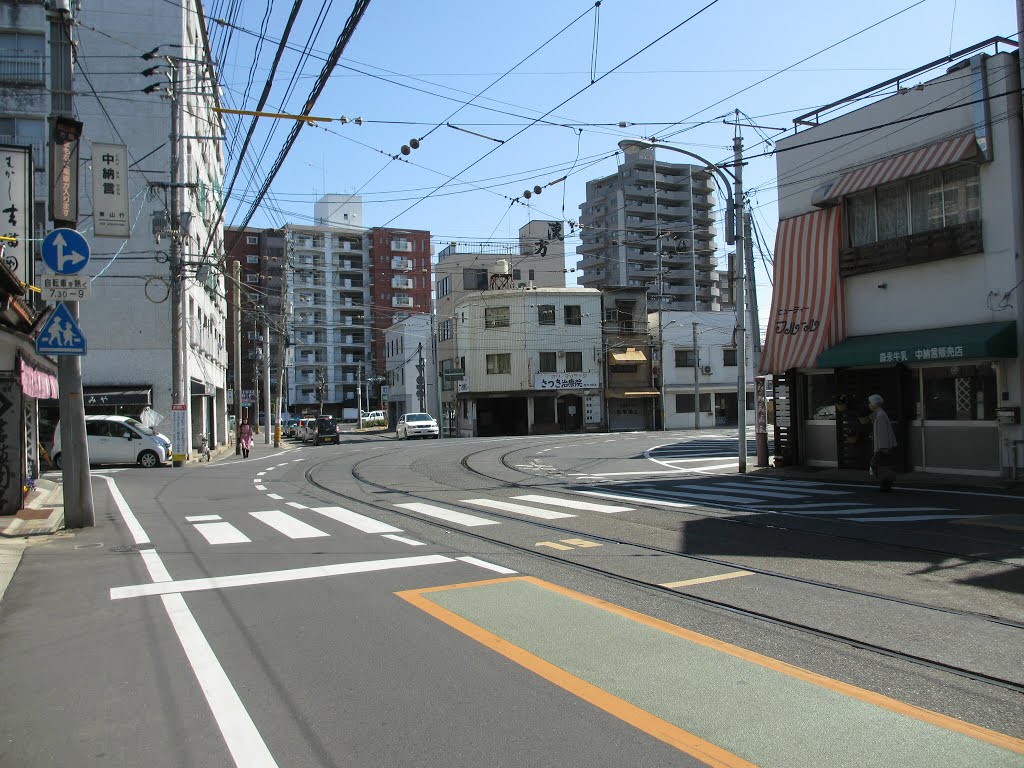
(410,368)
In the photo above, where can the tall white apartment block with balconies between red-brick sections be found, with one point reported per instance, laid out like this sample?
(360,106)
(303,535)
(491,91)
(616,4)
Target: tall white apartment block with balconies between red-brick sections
(328,288)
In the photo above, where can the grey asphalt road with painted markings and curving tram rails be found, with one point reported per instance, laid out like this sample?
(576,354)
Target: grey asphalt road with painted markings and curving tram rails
(599,601)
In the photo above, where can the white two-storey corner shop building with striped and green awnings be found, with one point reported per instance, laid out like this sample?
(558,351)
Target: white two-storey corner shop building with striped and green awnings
(899,273)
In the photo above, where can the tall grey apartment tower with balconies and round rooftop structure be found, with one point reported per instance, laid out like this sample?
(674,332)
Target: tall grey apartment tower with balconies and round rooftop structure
(620,229)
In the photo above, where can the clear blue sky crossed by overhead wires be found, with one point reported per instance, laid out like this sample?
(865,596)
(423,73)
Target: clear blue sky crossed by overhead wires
(429,58)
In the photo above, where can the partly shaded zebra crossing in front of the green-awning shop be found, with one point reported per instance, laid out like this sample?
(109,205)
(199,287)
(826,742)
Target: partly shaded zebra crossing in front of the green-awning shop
(758,496)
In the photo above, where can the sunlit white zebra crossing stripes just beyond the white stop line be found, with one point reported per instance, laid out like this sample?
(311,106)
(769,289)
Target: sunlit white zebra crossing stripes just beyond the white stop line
(258,525)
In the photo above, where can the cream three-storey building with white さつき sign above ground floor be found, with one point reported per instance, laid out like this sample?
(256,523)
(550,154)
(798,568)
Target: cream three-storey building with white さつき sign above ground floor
(532,361)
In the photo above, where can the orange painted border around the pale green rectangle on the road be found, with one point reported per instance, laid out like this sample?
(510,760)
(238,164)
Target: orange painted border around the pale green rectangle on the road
(655,727)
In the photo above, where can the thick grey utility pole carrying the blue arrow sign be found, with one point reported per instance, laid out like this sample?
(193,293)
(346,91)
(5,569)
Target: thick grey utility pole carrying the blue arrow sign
(77,481)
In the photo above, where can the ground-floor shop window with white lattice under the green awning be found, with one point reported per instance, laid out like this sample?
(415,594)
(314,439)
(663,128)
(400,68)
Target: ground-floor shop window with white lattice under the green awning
(959,394)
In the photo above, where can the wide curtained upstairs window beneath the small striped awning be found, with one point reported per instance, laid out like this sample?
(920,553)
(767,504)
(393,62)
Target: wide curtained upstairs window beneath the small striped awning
(938,200)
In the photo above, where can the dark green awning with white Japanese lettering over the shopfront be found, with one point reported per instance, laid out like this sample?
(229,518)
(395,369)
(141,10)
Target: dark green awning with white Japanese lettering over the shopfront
(956,344)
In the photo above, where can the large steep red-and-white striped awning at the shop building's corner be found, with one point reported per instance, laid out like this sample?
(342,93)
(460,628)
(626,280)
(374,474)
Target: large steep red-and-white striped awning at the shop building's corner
(807,311)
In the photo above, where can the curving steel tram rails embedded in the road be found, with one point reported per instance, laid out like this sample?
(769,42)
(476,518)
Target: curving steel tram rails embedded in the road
(973,675)
